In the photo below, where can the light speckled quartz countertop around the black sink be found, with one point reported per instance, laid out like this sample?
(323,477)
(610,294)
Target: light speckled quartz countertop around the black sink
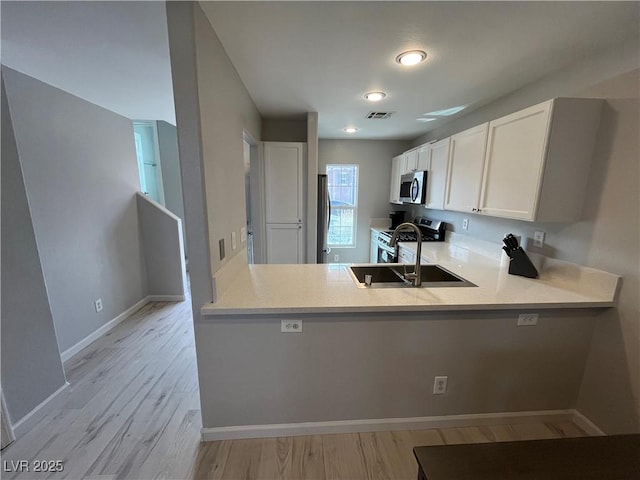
(321,289)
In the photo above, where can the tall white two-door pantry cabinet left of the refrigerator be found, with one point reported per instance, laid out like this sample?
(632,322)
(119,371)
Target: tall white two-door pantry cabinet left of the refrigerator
(284,201)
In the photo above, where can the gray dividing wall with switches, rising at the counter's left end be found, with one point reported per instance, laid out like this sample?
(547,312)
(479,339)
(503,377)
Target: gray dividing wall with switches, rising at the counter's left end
(213,109)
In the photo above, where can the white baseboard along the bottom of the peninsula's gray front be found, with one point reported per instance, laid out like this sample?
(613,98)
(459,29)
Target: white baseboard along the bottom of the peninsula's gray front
(382,424)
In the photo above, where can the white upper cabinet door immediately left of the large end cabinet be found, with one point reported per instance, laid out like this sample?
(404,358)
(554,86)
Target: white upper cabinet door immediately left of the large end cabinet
(466,160)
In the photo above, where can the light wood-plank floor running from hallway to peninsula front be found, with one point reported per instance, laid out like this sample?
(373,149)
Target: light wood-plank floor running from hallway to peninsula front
(132,411)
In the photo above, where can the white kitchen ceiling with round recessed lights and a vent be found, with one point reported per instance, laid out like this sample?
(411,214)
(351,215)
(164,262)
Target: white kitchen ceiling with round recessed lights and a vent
(323,56)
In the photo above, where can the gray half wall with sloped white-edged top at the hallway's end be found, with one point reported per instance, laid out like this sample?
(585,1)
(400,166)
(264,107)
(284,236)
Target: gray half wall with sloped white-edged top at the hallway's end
(161,233)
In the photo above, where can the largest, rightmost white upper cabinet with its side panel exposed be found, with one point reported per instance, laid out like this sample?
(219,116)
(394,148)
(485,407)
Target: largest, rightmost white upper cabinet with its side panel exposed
(538,161)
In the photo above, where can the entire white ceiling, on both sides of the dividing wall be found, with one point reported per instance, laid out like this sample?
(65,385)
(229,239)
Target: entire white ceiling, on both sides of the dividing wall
(296,57)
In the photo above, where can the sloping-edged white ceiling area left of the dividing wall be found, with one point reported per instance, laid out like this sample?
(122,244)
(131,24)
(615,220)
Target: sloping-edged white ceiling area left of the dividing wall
(113,54)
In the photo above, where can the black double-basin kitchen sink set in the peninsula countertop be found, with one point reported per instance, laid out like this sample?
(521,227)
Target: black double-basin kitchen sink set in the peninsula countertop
(390,276)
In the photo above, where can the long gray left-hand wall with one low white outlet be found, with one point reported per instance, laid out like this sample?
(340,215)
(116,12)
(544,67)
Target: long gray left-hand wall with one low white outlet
(80,173)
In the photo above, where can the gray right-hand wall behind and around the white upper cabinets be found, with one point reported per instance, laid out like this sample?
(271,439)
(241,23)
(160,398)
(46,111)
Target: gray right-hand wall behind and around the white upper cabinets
(606,238)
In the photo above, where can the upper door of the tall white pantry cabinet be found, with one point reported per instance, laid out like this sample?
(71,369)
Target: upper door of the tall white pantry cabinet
(283,171)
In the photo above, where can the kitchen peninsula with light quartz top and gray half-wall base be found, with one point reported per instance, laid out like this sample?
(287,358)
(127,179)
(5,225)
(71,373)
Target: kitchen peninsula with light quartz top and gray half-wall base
(365,359)
